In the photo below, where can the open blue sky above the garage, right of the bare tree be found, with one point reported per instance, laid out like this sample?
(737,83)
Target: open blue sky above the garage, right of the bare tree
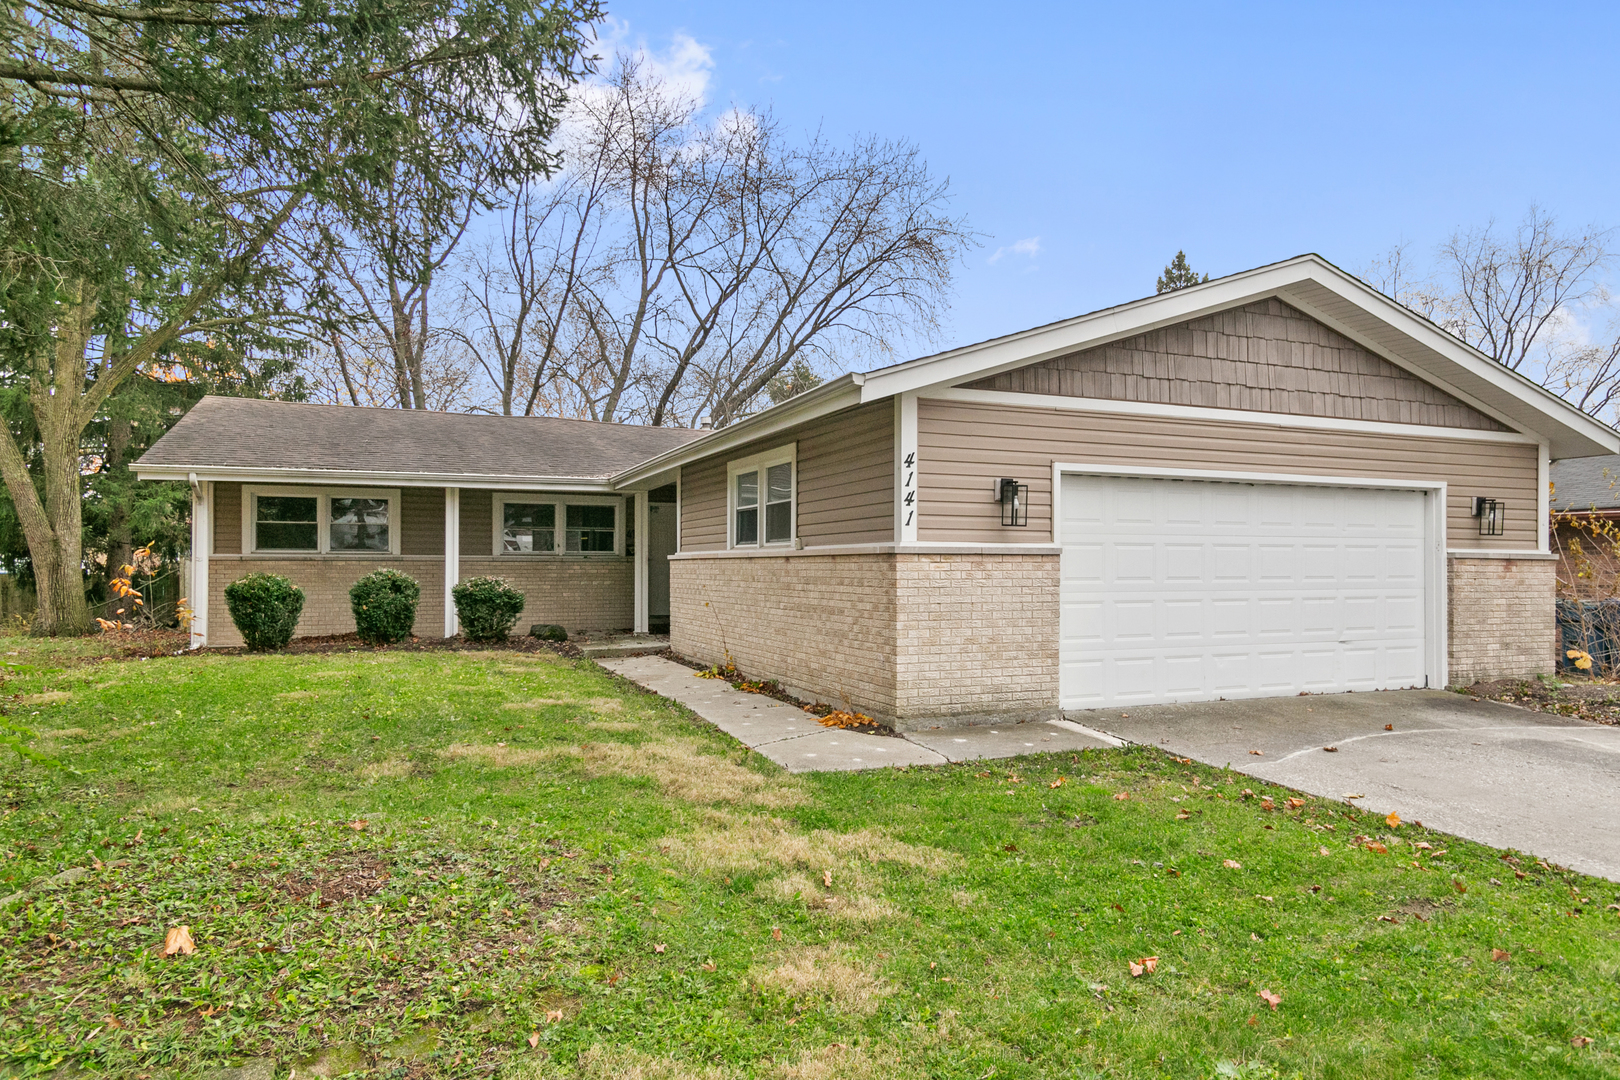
(1106,138)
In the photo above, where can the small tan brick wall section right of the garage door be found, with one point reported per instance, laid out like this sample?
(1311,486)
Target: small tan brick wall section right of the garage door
(1503,618)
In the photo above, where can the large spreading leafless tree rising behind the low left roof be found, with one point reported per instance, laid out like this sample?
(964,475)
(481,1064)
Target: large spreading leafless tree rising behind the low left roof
(676,268)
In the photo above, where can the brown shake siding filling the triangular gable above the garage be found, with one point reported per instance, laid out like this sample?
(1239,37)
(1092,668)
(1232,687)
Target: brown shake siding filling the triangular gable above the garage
(1264,357)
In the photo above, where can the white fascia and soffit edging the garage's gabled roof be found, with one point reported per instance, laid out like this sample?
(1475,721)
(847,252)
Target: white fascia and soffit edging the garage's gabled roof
(1308,283)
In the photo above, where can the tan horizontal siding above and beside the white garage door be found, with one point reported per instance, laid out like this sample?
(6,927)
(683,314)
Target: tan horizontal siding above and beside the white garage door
(963,448)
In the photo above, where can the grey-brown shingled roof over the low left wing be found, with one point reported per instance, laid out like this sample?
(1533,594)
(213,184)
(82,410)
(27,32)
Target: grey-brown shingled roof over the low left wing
(249,438)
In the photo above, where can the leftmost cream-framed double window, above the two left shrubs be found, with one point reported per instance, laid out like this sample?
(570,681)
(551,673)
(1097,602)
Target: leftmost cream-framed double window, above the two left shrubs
(312,521)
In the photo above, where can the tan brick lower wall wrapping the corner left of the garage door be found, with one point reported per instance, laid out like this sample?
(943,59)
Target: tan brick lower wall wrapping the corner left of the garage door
(906,639)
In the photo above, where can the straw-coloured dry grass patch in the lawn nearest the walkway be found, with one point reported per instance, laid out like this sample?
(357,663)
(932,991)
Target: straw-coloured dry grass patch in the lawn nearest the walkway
(681,768)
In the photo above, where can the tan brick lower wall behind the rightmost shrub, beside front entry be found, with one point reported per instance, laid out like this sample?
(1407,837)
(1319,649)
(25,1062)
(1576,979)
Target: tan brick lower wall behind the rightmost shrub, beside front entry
(574,593)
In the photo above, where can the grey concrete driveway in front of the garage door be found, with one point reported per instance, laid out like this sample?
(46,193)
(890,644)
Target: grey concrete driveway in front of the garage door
(1480,770)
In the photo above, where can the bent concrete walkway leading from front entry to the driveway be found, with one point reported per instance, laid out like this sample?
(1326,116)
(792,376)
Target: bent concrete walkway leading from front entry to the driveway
(793,739)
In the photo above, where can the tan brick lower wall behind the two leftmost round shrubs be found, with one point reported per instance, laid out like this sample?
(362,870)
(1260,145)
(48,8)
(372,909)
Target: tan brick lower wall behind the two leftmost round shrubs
(326,584)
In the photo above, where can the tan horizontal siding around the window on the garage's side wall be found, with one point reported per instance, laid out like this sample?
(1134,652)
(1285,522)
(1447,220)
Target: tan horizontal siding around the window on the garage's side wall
(846,483)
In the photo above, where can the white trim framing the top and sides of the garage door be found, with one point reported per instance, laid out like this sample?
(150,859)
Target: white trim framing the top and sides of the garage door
(1436,590)
